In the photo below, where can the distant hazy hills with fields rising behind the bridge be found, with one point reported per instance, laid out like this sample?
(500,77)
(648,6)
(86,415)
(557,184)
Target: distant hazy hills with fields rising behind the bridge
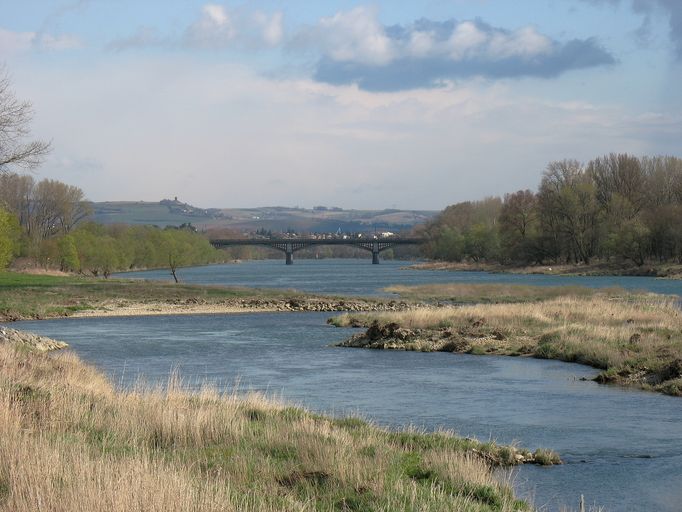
(318,220)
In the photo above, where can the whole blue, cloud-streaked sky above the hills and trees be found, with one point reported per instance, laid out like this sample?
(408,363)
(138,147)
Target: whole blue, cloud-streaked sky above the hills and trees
(364,105)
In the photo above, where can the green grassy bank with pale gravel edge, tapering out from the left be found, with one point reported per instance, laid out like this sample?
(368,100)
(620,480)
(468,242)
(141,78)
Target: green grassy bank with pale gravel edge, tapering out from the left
(35,297)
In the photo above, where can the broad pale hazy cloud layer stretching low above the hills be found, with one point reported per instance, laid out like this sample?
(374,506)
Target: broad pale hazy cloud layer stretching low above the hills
(219,135)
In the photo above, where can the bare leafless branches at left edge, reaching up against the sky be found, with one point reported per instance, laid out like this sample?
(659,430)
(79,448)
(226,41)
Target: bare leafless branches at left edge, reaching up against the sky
(15,120)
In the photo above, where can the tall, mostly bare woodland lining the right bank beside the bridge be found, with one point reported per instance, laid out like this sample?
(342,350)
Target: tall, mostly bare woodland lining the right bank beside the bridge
(617,207)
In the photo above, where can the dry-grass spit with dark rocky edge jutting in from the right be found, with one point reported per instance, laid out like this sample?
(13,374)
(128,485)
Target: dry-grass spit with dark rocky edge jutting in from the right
(635,339)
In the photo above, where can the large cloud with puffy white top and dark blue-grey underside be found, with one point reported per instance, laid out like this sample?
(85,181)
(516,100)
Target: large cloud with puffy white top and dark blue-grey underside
(356,48)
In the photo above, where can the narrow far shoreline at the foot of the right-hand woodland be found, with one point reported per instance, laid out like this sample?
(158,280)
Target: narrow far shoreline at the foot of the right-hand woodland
(663,270)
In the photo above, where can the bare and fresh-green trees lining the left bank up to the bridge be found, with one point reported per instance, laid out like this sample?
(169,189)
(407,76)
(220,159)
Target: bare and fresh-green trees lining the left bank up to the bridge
(46,221)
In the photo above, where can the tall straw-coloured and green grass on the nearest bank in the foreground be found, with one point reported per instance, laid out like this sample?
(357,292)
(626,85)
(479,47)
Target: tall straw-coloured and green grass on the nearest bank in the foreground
(70,441)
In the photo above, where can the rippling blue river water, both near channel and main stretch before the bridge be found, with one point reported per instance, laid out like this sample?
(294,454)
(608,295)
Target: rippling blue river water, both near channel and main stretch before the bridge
(622,448)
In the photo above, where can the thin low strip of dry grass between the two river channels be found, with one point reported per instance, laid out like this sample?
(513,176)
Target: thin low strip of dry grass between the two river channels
(469,293)
